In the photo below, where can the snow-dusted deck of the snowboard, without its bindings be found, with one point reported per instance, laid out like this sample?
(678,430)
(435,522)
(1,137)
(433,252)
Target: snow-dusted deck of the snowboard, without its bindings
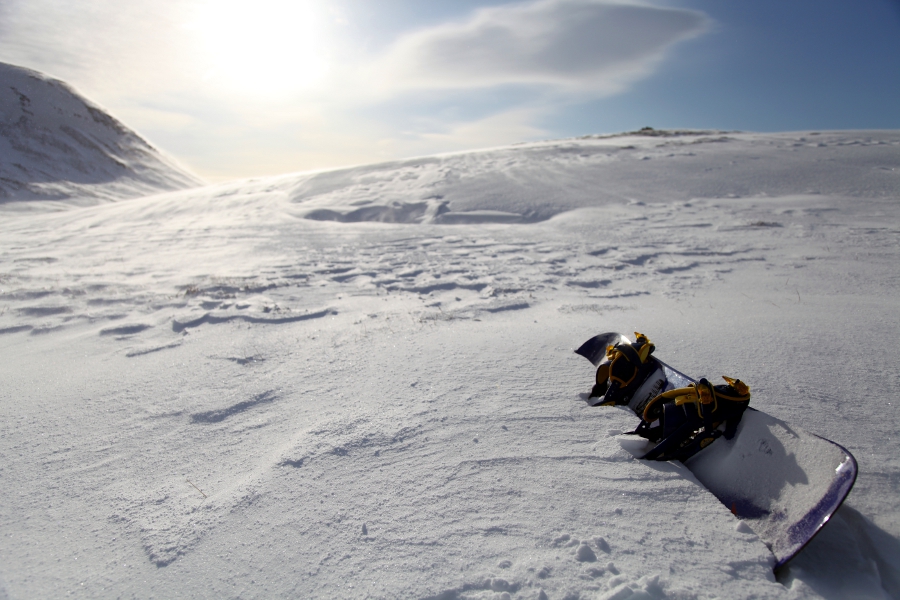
(782,481)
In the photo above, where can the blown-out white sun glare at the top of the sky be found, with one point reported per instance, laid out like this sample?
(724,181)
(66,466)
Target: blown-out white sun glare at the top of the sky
(263,47)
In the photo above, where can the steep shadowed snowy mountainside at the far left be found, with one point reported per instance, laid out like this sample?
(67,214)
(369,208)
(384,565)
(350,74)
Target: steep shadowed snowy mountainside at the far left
(57,145)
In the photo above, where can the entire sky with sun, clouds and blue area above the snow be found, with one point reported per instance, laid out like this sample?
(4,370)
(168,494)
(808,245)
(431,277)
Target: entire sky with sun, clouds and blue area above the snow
(241,88)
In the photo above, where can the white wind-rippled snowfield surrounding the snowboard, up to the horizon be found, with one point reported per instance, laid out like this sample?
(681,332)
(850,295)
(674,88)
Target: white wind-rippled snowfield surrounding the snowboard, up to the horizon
(361,383)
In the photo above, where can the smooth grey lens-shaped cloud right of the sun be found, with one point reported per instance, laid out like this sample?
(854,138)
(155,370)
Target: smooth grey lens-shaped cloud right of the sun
(595,46)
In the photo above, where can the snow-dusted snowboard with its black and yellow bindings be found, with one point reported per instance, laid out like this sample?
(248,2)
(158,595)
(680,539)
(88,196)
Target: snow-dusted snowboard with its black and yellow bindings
(681,418)
